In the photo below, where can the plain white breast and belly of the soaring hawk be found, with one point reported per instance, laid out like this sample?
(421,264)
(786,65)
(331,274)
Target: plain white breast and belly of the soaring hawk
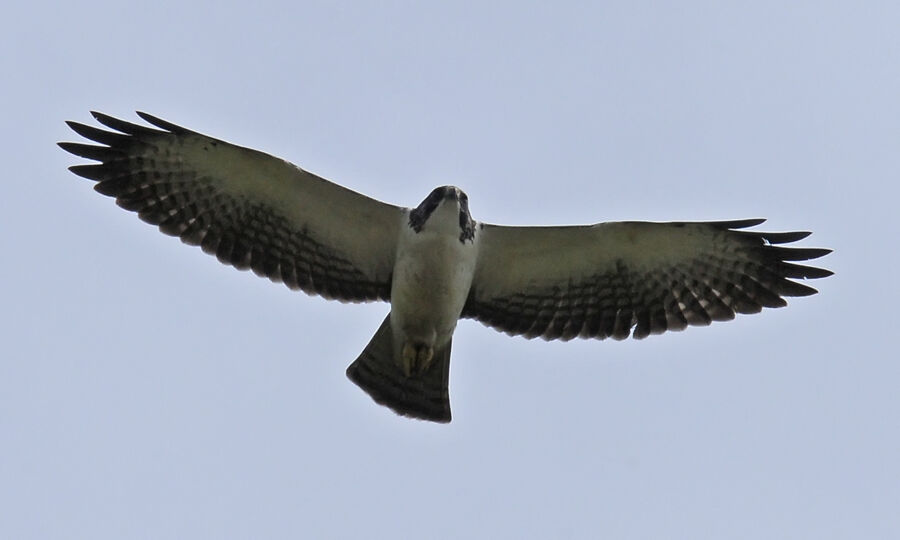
(431,281)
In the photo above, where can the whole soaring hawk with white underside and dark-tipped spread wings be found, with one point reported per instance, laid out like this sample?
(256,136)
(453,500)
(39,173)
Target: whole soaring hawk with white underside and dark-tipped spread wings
(434,263)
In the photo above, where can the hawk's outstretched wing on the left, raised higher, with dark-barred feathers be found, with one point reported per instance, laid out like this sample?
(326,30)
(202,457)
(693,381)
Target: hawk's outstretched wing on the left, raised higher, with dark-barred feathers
(251,210)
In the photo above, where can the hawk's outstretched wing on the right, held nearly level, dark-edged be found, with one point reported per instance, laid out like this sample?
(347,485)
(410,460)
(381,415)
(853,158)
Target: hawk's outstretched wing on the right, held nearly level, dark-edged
(603,280)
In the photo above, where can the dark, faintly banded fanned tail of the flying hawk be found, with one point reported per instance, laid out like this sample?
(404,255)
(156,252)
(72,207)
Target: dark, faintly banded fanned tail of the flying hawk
(425,395)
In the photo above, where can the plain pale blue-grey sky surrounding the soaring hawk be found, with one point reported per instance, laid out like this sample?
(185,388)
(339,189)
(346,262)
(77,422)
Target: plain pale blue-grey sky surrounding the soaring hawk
(147,391)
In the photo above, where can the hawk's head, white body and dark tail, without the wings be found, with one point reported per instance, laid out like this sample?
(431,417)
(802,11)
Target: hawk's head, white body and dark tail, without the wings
(406,365)
